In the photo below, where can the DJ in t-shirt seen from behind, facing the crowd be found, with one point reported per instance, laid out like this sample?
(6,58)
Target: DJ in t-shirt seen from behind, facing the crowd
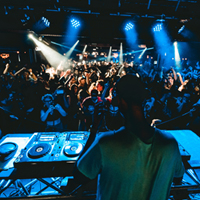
(135,162)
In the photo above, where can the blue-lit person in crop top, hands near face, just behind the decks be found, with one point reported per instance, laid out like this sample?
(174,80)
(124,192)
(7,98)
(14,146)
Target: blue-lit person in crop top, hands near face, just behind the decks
(51,114)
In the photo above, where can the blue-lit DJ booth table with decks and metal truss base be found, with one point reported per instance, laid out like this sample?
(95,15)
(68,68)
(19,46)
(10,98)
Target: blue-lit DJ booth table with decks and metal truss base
(49,157)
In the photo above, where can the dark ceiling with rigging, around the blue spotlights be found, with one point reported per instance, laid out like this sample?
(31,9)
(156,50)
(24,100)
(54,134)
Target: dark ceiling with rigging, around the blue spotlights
(102,20)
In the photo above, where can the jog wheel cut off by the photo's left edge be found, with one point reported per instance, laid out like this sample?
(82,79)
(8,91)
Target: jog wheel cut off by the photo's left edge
(7,150)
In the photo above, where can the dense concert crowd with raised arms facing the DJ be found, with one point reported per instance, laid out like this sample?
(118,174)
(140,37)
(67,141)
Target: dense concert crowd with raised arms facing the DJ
(40,98)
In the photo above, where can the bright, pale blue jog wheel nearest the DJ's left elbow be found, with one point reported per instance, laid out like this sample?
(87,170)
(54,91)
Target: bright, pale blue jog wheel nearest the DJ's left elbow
(73,149)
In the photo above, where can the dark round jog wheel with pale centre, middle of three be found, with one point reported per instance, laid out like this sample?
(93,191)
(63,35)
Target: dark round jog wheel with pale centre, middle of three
(39,150)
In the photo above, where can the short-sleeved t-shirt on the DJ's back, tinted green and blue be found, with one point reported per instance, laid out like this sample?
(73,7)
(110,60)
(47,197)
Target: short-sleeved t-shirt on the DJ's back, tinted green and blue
(130,169)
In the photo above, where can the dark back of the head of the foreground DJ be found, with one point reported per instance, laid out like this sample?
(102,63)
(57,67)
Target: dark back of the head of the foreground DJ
(131,89)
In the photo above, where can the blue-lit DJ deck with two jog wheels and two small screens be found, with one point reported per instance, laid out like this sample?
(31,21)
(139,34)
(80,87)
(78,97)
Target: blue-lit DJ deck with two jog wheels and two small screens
(52,149)
